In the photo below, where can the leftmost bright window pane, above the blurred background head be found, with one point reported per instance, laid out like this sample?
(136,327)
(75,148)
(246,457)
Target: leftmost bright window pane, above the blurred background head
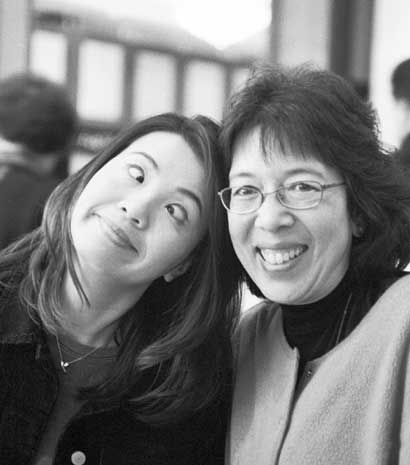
(48,52)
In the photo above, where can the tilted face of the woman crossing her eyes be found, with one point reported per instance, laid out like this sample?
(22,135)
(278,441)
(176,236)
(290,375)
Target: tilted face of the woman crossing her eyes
(143,212)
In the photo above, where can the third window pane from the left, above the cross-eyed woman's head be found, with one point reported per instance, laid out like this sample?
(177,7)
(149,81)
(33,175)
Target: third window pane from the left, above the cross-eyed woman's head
(154,85)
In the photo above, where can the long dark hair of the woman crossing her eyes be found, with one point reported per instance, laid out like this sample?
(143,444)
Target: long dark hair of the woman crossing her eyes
(174,349)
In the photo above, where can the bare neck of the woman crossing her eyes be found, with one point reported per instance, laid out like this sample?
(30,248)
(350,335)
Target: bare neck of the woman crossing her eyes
(95,324)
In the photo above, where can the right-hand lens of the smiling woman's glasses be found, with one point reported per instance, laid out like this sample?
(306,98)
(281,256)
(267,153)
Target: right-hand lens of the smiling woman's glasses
(302,194)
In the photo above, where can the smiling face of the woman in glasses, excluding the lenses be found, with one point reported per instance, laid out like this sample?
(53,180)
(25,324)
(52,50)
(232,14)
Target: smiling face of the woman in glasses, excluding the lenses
(293,256)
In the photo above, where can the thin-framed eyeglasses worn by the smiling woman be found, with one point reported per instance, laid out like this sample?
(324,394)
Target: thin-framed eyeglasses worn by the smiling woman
(300,195)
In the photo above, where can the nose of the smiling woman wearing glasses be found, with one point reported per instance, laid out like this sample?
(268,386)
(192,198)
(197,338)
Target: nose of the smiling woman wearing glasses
(272,215)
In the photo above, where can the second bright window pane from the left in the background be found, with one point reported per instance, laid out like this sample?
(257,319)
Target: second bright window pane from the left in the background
(100,81)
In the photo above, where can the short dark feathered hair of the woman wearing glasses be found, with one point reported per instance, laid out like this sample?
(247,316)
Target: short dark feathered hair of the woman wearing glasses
(316,113)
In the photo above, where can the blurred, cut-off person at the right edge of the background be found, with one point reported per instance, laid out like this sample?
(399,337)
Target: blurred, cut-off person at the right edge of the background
(400,81)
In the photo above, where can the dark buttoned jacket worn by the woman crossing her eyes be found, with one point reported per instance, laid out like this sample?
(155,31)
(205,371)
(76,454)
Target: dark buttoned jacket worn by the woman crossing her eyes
(103,434)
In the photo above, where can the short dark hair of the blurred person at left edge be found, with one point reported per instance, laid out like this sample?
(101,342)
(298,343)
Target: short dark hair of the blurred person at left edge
(36,113)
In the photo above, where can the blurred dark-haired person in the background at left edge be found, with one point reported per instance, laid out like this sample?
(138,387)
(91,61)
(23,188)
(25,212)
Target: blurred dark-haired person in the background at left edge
(38,124)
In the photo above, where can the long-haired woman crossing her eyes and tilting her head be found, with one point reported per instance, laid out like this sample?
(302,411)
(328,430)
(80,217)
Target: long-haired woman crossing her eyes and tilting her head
(115,316)
